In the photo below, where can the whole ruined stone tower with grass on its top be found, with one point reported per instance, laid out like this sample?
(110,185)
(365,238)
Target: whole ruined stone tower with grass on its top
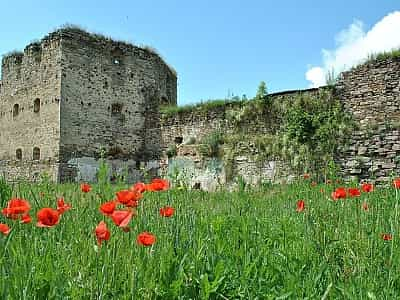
(73,97)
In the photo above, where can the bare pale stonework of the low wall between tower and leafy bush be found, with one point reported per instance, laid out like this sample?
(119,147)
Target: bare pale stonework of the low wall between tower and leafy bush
(193,125)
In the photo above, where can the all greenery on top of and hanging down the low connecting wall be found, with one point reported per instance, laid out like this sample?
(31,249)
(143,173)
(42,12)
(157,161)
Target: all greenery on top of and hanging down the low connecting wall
(303,130)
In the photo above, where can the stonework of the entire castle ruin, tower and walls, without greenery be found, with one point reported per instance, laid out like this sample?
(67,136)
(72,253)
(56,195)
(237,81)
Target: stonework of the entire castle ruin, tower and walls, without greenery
(75,97)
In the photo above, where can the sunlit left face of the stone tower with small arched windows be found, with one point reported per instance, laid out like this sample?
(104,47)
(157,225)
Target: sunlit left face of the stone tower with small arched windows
(29,109)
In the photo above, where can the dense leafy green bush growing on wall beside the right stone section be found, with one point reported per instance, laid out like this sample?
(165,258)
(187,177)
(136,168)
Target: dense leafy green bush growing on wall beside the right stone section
(312,130)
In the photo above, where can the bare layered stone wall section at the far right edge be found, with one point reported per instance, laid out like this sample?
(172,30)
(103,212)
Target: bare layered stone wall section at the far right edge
(371,93)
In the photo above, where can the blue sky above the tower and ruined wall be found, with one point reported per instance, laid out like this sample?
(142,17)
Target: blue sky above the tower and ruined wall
(222,47)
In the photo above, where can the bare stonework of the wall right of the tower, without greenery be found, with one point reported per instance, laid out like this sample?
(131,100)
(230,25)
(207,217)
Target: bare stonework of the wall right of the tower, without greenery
(369,92)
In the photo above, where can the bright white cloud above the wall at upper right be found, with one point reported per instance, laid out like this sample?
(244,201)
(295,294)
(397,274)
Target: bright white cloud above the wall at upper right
(354,45)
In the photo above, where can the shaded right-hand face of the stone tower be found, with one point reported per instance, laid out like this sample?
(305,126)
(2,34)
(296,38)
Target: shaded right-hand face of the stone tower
(111,92)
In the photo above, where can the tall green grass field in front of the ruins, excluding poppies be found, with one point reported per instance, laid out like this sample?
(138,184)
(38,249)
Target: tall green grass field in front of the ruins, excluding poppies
(238,245)
